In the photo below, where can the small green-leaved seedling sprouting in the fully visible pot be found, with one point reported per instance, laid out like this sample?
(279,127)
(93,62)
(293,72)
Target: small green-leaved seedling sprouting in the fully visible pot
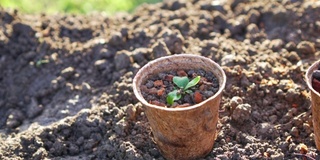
(183,85)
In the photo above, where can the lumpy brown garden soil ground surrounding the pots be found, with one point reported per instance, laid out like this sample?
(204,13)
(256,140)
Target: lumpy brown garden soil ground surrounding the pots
(66,80)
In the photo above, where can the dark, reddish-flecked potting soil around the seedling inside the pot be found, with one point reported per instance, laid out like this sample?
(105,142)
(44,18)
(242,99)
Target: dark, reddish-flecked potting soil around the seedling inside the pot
(155,90)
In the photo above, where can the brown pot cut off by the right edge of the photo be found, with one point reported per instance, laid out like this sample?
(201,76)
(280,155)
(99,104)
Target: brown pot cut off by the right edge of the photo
(315,101)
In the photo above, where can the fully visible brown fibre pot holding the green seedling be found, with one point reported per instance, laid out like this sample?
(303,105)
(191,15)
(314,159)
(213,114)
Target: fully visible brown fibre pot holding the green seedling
(182,133)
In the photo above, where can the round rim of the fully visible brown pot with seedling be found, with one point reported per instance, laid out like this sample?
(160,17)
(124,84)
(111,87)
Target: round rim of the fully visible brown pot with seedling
(144,102)
